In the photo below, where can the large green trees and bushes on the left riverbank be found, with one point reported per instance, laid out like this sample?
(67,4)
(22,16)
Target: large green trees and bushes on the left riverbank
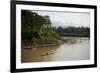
(37,28)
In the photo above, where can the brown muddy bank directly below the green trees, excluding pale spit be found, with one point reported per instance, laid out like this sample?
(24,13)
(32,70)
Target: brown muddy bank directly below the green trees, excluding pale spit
(30,44)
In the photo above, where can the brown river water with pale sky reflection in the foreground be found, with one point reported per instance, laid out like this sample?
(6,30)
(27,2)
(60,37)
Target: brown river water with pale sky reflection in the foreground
(63,52)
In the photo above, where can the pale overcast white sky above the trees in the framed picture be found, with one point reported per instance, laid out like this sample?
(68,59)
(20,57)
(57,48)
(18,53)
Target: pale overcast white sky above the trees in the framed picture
(66,19)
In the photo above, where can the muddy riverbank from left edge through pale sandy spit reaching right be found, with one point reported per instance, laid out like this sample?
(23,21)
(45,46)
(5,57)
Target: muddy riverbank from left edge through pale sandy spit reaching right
(40,43)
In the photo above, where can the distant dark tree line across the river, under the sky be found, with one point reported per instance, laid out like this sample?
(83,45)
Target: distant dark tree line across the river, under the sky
(73,31)
